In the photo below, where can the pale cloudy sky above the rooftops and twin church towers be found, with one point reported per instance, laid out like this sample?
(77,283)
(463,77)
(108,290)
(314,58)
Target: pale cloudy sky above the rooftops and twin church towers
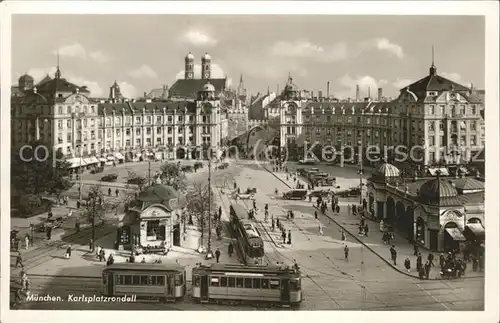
(143,52)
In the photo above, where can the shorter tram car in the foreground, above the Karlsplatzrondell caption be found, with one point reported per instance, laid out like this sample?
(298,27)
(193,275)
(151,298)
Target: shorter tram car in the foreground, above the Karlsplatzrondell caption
(164,282)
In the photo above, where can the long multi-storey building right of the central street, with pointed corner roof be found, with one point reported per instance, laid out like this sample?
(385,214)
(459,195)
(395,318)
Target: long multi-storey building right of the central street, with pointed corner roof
(432,120)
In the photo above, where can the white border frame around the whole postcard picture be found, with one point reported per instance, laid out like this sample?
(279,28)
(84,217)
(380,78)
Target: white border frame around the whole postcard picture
(489,9)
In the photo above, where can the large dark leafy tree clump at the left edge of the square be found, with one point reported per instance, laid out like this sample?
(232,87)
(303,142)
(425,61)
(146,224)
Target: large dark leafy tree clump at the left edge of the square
(35,171)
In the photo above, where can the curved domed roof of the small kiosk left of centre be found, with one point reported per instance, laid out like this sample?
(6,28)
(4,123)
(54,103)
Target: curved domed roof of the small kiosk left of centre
(162,194)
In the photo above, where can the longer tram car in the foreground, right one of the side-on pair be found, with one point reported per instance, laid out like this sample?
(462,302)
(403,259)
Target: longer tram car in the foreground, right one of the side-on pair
(258,285)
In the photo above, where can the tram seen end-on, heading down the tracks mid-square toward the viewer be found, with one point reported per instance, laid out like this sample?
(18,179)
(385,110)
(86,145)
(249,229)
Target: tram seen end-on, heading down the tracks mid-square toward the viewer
(249,240)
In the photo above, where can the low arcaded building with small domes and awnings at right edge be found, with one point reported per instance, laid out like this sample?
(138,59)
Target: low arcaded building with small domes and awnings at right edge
(434,212)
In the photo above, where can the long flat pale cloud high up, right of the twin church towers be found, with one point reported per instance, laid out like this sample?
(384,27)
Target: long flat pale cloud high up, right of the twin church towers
(306,49)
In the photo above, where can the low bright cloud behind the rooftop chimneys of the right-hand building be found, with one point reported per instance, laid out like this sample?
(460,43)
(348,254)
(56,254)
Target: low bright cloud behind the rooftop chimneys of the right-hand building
(348,83)
